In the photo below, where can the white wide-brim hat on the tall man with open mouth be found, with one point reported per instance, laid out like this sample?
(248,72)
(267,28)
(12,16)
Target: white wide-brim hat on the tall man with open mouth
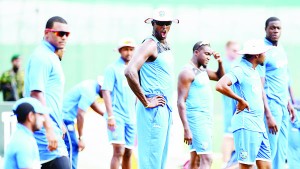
(161,14)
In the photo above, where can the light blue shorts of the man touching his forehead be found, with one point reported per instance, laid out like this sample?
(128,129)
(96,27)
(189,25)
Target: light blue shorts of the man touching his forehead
(201,128)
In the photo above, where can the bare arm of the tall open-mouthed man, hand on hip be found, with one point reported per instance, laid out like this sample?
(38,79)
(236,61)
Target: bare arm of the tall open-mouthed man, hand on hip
(146,51)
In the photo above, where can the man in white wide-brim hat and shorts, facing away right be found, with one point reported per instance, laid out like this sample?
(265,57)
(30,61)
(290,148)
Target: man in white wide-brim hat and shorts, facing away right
(249,132)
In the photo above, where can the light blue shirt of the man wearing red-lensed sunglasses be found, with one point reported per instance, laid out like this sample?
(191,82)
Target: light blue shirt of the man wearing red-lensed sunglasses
(44,73)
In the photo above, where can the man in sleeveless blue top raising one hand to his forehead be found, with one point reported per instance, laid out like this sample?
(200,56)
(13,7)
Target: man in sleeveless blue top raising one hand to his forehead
(195,104)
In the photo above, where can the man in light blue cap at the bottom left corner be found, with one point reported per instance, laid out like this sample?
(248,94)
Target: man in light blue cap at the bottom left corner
(22,150)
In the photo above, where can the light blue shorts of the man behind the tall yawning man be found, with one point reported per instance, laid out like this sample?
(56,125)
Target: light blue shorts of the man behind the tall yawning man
(124,133)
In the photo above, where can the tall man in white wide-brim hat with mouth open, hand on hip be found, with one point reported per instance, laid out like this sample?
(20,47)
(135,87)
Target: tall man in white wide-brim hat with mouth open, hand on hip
(150,76)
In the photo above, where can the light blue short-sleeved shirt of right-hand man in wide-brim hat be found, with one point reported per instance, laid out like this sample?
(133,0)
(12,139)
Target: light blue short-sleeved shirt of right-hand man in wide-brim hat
(246,84)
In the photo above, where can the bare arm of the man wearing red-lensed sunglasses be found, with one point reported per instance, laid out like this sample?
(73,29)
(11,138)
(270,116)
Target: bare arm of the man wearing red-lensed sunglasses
(52,140)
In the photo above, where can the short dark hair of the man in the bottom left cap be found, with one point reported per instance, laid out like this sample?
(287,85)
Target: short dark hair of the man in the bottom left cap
(22,111)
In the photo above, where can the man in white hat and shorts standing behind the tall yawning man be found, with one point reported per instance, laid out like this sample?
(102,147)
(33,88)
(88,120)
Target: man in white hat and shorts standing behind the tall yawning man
(120,106)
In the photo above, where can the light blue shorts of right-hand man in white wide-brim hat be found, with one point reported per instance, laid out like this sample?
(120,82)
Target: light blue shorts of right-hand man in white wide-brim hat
(251,146)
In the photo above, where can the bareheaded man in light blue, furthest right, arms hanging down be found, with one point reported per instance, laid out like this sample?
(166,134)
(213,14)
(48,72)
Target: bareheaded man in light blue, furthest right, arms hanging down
(278,108)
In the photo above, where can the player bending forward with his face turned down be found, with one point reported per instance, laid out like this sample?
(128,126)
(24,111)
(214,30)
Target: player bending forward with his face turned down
(76,103)
